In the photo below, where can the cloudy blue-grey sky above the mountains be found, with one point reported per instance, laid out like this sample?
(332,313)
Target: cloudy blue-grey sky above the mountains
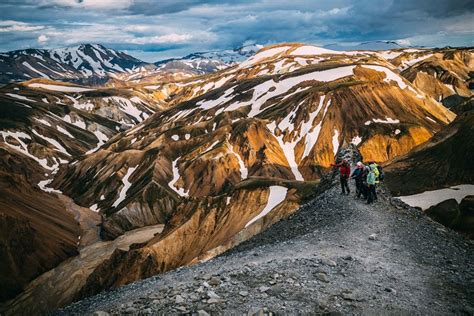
(154,30)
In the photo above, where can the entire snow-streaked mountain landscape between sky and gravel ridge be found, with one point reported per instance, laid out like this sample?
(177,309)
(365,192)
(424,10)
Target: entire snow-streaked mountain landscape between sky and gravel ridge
(143,168)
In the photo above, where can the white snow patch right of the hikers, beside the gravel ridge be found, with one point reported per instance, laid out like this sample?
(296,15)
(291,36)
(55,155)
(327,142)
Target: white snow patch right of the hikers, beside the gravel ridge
(430,198)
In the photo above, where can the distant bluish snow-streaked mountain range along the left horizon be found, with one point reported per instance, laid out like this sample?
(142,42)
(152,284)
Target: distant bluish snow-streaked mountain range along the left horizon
(94,64)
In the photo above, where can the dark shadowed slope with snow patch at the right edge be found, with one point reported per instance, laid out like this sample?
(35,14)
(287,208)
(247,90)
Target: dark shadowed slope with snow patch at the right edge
(438,176)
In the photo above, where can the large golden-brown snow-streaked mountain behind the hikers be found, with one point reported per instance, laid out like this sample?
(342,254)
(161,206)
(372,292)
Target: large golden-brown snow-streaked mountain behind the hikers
(223,166)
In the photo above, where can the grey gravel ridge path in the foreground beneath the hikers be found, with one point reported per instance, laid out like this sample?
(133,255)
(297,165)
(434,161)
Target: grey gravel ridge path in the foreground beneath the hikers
(336,254)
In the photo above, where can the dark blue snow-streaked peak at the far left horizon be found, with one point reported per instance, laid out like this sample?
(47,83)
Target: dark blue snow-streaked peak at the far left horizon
(87,63)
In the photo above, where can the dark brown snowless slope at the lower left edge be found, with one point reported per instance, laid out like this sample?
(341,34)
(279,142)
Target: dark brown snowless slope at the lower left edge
(36,231)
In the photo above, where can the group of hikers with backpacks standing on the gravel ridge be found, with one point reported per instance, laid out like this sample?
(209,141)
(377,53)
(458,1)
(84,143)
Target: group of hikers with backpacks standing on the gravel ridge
(366,178)
